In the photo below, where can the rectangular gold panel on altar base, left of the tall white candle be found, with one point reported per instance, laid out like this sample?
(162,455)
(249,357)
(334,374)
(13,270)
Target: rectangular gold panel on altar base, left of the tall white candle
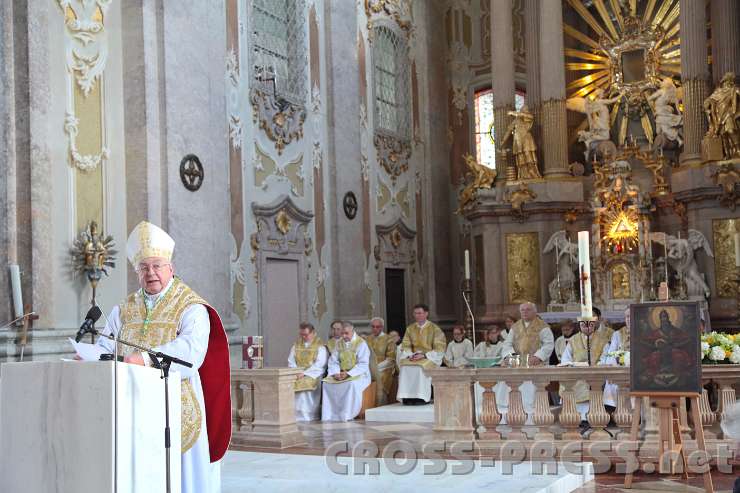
(523,267)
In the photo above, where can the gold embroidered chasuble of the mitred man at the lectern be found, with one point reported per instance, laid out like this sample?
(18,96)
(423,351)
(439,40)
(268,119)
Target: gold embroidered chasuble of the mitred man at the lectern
(156,327)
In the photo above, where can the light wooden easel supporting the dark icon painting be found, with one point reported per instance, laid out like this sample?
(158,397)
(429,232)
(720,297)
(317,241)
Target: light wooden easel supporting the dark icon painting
(669,431)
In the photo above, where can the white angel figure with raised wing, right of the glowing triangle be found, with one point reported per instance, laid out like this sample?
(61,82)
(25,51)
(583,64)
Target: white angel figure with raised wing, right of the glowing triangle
(681,259)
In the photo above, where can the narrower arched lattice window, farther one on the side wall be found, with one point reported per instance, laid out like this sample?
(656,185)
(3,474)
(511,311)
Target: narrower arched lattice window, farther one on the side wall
(391,82)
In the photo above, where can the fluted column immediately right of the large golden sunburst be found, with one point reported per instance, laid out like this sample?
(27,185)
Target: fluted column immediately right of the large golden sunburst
(694,76)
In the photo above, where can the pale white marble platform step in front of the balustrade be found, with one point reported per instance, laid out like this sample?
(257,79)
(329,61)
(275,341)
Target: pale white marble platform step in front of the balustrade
(262,472)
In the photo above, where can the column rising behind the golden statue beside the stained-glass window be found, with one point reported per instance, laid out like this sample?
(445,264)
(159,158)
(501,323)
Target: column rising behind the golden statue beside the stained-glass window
(502,68)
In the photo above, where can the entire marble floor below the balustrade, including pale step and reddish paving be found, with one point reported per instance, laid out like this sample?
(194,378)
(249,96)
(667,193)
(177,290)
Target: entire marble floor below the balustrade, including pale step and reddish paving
(270,468)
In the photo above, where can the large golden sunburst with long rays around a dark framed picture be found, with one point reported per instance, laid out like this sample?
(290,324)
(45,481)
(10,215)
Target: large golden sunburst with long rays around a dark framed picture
(627,51)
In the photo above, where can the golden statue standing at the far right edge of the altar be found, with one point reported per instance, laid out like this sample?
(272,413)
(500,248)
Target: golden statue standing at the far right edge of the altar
(722,108)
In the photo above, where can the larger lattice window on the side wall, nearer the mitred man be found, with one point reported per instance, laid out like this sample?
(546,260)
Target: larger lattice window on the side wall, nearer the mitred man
(278,56)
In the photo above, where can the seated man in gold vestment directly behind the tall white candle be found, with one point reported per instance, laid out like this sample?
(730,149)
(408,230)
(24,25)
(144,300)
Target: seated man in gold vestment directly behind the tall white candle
(586,347)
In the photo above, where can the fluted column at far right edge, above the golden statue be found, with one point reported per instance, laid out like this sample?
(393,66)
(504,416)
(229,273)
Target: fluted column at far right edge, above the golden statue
(725,17)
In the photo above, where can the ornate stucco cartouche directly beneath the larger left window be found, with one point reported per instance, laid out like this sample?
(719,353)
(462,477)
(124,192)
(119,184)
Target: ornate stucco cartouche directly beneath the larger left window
(281,121)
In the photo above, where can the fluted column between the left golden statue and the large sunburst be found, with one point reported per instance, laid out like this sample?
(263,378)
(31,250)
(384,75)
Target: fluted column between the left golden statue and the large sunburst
(552,90)
